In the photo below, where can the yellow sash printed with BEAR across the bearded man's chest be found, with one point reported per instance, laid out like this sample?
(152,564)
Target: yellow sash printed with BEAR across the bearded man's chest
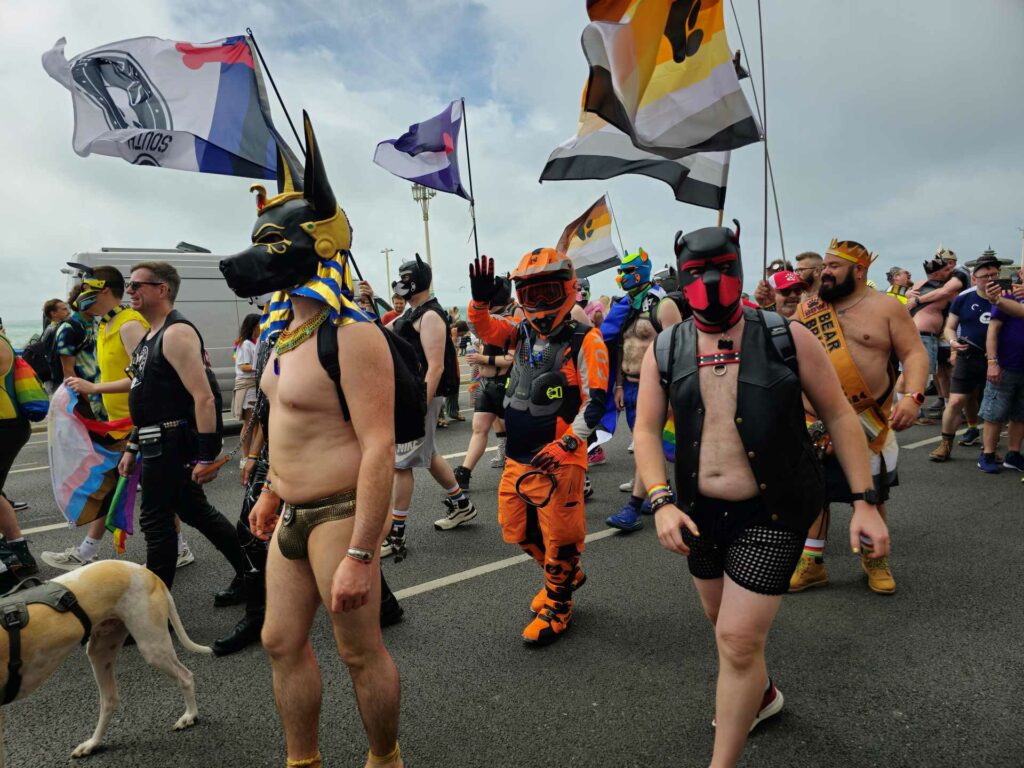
(822,320)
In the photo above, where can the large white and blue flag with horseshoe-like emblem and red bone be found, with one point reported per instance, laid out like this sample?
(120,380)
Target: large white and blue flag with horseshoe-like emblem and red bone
(160,103)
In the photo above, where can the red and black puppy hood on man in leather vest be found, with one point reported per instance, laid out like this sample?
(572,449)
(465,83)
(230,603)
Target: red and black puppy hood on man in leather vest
(711,276)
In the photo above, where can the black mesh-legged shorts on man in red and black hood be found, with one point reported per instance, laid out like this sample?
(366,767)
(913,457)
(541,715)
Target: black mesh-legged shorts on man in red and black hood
(757,557)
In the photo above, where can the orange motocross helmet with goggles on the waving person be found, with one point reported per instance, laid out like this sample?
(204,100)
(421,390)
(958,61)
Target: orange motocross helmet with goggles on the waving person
(545,286)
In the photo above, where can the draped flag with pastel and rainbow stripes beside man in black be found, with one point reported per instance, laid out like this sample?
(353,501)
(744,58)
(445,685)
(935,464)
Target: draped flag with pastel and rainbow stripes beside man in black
(84,473)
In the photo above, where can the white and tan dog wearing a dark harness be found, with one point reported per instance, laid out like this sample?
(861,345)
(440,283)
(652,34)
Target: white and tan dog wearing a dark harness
(119,598)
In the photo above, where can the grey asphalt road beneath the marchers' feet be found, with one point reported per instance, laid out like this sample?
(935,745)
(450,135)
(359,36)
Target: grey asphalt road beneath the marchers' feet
(930,676)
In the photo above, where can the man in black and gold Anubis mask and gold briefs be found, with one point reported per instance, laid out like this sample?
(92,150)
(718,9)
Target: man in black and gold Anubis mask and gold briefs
(329,484)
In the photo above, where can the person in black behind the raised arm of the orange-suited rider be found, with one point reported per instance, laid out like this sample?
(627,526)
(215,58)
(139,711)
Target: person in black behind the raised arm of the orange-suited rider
(494,363)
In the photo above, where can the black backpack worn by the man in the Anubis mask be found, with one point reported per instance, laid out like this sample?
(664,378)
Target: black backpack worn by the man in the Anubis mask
(410,389)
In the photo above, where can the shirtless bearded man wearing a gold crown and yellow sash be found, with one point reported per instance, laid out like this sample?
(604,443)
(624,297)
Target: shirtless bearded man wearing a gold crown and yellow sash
(862,329)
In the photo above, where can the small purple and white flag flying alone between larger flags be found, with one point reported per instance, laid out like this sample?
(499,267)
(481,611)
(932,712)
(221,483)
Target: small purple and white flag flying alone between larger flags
(428,153)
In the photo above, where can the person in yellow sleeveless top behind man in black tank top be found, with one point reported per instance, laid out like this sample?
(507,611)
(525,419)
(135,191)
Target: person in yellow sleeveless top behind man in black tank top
(119,332)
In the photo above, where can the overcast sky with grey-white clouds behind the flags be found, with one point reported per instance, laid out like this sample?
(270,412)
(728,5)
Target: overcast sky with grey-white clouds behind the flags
(895,124)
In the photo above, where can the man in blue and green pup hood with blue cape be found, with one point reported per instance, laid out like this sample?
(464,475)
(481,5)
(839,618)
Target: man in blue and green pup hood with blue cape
(631,327)
